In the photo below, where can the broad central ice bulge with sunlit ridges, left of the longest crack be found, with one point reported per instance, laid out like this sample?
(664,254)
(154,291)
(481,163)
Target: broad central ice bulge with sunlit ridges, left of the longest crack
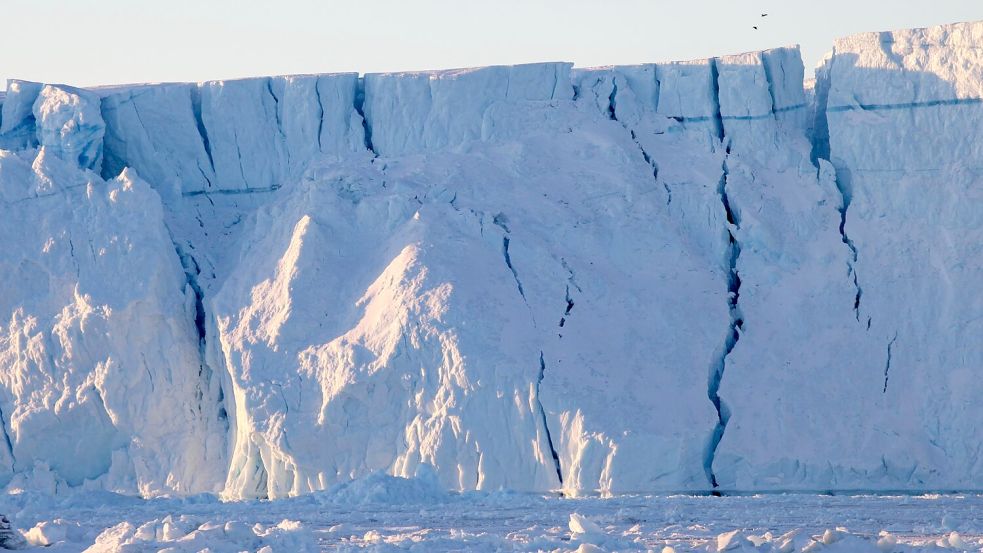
(505,228)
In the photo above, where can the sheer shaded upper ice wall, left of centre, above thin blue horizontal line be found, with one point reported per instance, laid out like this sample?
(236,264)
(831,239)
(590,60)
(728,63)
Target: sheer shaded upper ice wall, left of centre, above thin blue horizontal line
(231,136)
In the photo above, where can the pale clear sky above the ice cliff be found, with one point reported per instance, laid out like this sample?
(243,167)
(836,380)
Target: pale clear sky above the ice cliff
(89,42)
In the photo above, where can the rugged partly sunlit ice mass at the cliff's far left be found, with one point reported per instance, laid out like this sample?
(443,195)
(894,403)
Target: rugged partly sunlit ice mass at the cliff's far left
(101,383)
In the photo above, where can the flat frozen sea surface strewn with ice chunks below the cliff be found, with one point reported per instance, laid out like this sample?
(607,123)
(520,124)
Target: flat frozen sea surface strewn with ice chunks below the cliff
(382,513)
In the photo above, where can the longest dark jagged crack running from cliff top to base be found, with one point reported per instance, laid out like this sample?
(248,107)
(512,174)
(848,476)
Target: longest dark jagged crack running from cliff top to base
(733,295)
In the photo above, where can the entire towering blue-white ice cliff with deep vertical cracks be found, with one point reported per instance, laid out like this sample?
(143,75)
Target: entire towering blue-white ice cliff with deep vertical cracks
(686,276)
